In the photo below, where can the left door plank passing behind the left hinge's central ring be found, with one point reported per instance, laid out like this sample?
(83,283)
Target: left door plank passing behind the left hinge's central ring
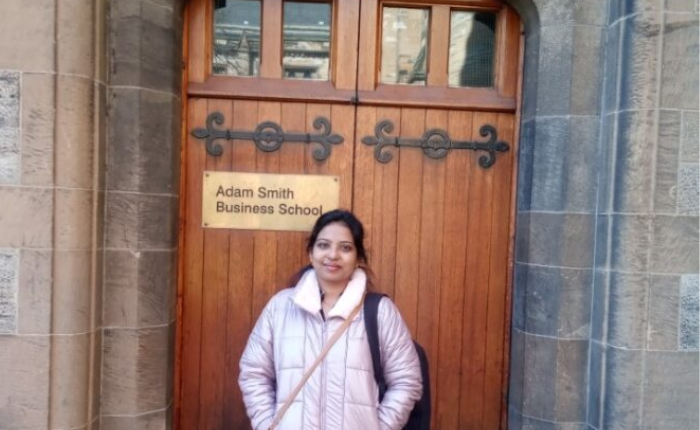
(265,253)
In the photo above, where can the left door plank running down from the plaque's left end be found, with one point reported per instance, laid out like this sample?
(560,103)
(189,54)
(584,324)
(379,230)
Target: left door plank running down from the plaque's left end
(214,295)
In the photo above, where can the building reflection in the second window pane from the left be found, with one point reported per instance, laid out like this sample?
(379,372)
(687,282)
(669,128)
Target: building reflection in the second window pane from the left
(307,40)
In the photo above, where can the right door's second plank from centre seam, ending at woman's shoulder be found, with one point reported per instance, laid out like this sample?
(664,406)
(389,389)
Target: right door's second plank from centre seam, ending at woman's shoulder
(408,220)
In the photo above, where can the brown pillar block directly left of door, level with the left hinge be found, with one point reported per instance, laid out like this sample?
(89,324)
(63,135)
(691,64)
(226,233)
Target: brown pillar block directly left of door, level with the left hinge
(146,141)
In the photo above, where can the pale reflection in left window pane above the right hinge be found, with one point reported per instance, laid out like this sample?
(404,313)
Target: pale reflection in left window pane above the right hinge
(404,45)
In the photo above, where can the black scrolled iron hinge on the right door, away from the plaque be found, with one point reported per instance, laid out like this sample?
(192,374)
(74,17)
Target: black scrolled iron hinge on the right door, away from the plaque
(435,143)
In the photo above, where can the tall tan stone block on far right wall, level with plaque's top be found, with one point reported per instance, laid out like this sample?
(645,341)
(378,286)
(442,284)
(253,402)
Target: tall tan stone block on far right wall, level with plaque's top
(634,163)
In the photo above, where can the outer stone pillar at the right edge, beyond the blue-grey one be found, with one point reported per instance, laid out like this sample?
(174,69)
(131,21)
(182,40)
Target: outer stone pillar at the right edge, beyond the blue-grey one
(644,349)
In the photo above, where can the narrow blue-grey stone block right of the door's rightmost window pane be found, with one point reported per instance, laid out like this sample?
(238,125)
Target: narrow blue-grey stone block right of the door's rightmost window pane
(555,68)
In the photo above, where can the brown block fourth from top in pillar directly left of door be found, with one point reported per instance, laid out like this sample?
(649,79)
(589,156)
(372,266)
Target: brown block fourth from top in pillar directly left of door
(137,288)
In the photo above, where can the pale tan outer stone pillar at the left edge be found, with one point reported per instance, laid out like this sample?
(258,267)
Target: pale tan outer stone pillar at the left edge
(52,91)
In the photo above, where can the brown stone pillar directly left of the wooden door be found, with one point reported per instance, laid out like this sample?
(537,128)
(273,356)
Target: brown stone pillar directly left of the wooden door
(143,161)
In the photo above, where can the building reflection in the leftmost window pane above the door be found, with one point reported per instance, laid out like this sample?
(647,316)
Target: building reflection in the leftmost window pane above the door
(236,37)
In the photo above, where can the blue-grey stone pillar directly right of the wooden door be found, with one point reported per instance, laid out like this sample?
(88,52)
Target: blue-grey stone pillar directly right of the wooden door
(556,214)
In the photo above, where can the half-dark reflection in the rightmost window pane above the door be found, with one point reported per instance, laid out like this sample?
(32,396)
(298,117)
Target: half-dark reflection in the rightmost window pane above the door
(472,49)
